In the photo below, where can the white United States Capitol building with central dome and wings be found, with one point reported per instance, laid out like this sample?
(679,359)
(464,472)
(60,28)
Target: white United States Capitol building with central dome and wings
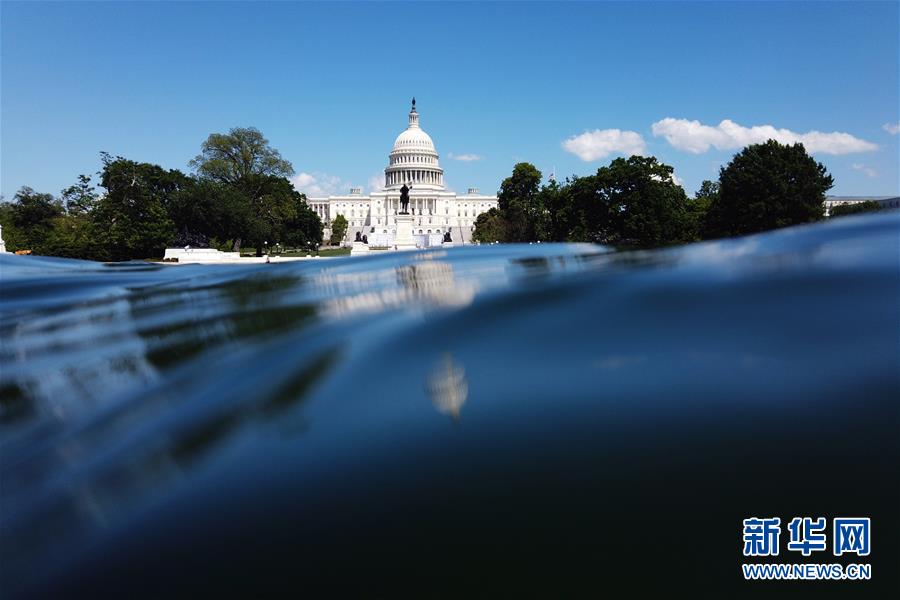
(435,209)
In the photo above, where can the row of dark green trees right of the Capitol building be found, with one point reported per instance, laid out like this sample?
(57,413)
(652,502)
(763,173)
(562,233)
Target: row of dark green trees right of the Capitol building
(636,203)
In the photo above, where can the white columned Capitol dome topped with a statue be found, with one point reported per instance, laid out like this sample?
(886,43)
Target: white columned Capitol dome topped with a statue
(414,159)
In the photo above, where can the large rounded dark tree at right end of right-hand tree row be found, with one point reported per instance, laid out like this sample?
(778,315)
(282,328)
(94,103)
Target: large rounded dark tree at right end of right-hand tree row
(768,186)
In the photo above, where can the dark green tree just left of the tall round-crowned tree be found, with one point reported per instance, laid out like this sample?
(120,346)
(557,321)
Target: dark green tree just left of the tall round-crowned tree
(133,214)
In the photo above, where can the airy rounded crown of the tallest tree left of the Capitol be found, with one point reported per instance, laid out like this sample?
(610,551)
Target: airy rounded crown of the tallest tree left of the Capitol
(239,155)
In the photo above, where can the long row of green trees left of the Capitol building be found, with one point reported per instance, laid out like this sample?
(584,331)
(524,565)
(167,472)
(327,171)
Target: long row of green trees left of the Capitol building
(238,194)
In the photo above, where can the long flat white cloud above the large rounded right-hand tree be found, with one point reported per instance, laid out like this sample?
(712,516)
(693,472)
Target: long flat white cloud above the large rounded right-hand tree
(695,137)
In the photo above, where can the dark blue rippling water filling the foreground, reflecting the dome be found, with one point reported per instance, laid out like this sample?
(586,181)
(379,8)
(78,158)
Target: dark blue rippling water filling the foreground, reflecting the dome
(540,420)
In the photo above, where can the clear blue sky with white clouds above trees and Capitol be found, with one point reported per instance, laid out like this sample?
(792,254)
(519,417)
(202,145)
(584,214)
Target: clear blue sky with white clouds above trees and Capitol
(568,86)
